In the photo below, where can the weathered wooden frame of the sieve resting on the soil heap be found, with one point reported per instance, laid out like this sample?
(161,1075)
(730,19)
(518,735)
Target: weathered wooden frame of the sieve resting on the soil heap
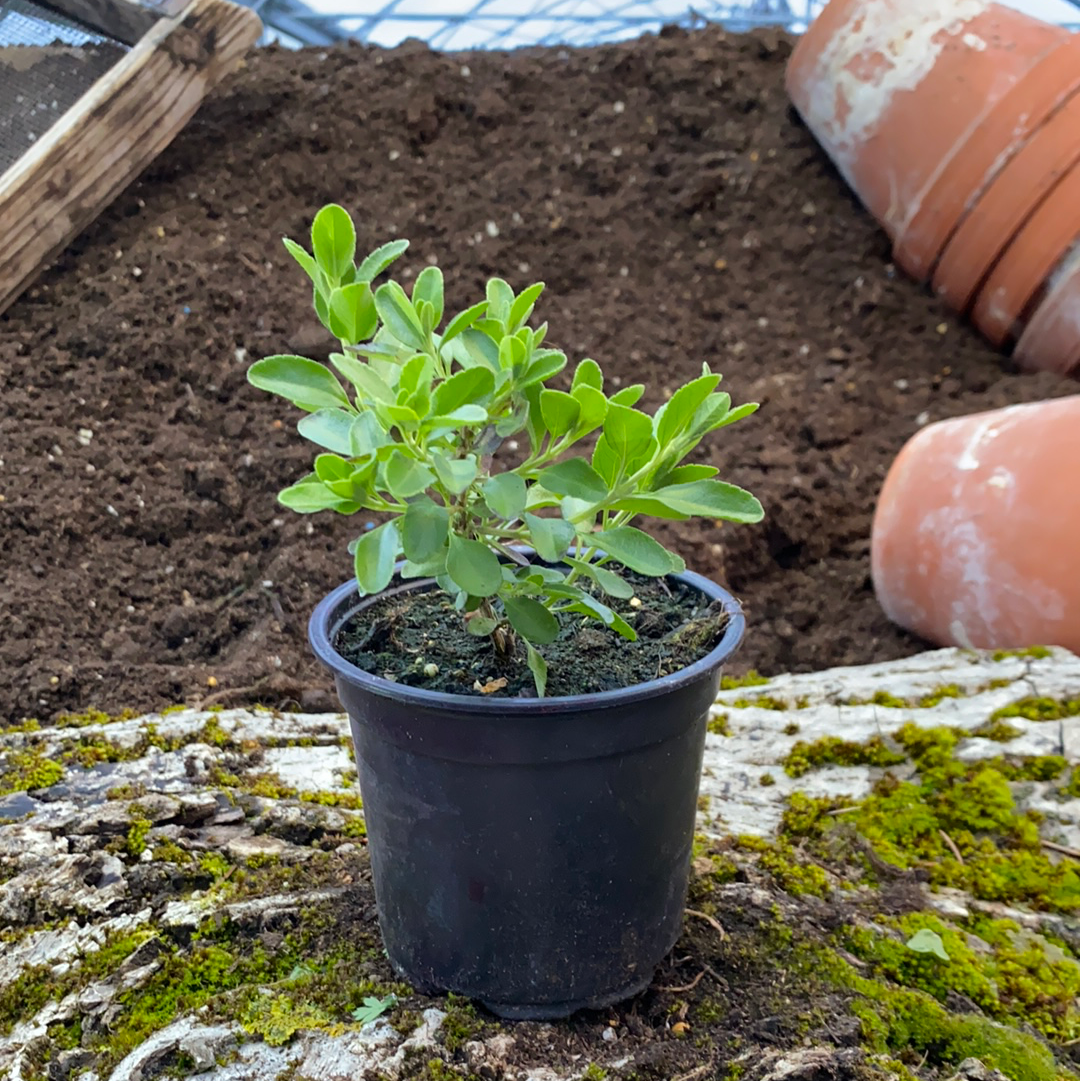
(118,127)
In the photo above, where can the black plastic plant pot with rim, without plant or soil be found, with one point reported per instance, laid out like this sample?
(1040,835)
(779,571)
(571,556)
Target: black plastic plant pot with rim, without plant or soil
(530,853)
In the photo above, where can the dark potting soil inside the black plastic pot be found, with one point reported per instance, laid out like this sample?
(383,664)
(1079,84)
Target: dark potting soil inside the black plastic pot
(402,636)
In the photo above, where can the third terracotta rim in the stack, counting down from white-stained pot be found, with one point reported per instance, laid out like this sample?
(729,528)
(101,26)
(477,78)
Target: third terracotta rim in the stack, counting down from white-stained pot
(1029,262)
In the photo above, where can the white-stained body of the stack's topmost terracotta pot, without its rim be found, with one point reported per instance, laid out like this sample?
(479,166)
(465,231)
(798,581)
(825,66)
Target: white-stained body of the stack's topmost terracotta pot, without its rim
(895,89)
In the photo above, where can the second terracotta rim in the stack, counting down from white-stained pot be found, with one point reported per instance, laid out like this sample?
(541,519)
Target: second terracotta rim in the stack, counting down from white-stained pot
(1009,203)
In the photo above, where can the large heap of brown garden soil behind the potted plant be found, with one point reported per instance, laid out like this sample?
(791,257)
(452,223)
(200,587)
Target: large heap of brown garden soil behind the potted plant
(677,210)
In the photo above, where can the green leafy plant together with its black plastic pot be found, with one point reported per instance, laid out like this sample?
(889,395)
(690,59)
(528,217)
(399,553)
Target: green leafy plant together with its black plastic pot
(527,674)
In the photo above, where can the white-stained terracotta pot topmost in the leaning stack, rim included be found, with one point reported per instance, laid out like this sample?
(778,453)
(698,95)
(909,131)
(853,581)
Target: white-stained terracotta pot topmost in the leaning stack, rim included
(901,92)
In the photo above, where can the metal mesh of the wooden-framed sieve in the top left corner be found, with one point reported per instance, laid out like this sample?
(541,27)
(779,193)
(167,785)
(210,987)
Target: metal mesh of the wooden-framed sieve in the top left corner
(47,64)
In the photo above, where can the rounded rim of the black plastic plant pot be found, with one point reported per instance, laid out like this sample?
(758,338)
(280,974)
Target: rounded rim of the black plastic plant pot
(331,613)
